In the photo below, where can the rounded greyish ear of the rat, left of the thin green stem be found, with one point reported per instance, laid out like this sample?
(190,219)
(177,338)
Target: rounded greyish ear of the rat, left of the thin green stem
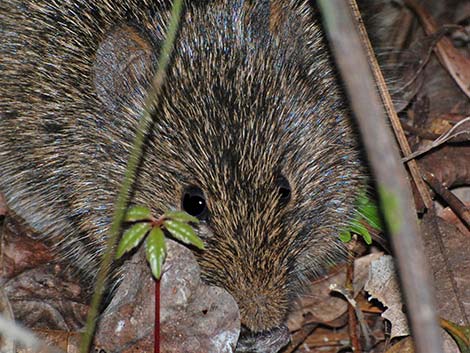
(123,68)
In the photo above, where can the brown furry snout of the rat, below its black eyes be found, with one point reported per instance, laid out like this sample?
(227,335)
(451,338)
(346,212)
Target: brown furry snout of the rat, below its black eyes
(252,265)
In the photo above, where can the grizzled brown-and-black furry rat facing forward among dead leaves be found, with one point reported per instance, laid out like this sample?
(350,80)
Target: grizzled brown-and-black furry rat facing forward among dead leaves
(252,135)
